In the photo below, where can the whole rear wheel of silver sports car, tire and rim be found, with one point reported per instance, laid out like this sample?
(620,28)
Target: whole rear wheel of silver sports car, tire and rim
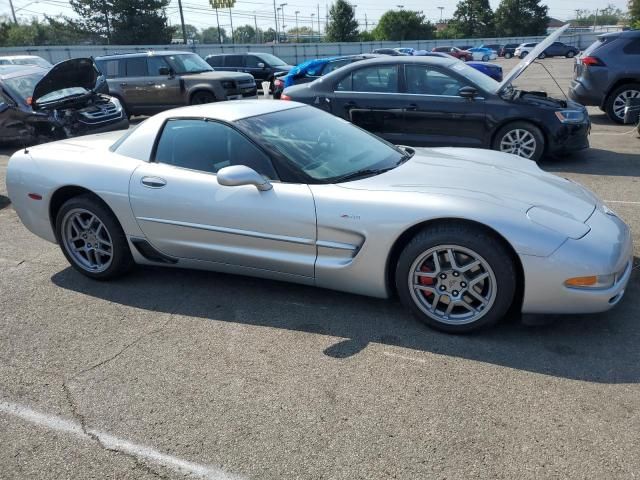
(92,239)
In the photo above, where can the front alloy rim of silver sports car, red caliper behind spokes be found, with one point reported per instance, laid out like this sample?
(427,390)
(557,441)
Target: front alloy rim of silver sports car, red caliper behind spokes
(452,284)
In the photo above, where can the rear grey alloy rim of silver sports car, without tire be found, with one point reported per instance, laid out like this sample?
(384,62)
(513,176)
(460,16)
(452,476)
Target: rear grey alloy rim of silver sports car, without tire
(87,240)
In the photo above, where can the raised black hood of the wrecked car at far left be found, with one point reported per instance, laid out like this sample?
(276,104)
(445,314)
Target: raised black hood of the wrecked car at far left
(77,72)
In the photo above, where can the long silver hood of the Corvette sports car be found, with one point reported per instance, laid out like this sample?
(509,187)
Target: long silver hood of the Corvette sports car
(484,175)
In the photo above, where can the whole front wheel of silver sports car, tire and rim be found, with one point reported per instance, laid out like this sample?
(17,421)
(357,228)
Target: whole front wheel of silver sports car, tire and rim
(456,278)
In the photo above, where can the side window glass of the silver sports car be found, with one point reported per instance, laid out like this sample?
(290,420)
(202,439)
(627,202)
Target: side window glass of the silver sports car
(208,146)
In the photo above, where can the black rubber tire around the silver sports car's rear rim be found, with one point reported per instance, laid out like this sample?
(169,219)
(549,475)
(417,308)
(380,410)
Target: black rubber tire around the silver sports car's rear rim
(121,259)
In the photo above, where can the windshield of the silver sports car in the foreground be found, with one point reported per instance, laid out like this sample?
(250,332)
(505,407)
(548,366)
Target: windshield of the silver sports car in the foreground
(326,148)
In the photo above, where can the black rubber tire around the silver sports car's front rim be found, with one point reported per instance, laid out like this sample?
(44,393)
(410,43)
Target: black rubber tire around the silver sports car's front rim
(473,239)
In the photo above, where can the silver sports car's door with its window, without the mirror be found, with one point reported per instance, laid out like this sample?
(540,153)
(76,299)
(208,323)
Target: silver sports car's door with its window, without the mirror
(185,213)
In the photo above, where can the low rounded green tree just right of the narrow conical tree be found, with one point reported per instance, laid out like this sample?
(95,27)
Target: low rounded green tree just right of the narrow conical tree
(403,25)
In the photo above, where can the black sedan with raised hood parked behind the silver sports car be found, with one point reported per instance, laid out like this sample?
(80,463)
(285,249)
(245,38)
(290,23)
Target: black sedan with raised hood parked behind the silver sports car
(430,101)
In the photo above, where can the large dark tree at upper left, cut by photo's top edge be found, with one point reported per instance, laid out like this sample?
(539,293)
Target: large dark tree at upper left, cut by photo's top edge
(132,22)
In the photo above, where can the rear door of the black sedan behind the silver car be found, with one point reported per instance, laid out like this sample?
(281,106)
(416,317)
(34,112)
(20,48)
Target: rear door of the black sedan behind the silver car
(368,97)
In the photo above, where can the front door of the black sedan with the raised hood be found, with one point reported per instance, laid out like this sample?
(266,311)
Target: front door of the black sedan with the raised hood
(437,115)
